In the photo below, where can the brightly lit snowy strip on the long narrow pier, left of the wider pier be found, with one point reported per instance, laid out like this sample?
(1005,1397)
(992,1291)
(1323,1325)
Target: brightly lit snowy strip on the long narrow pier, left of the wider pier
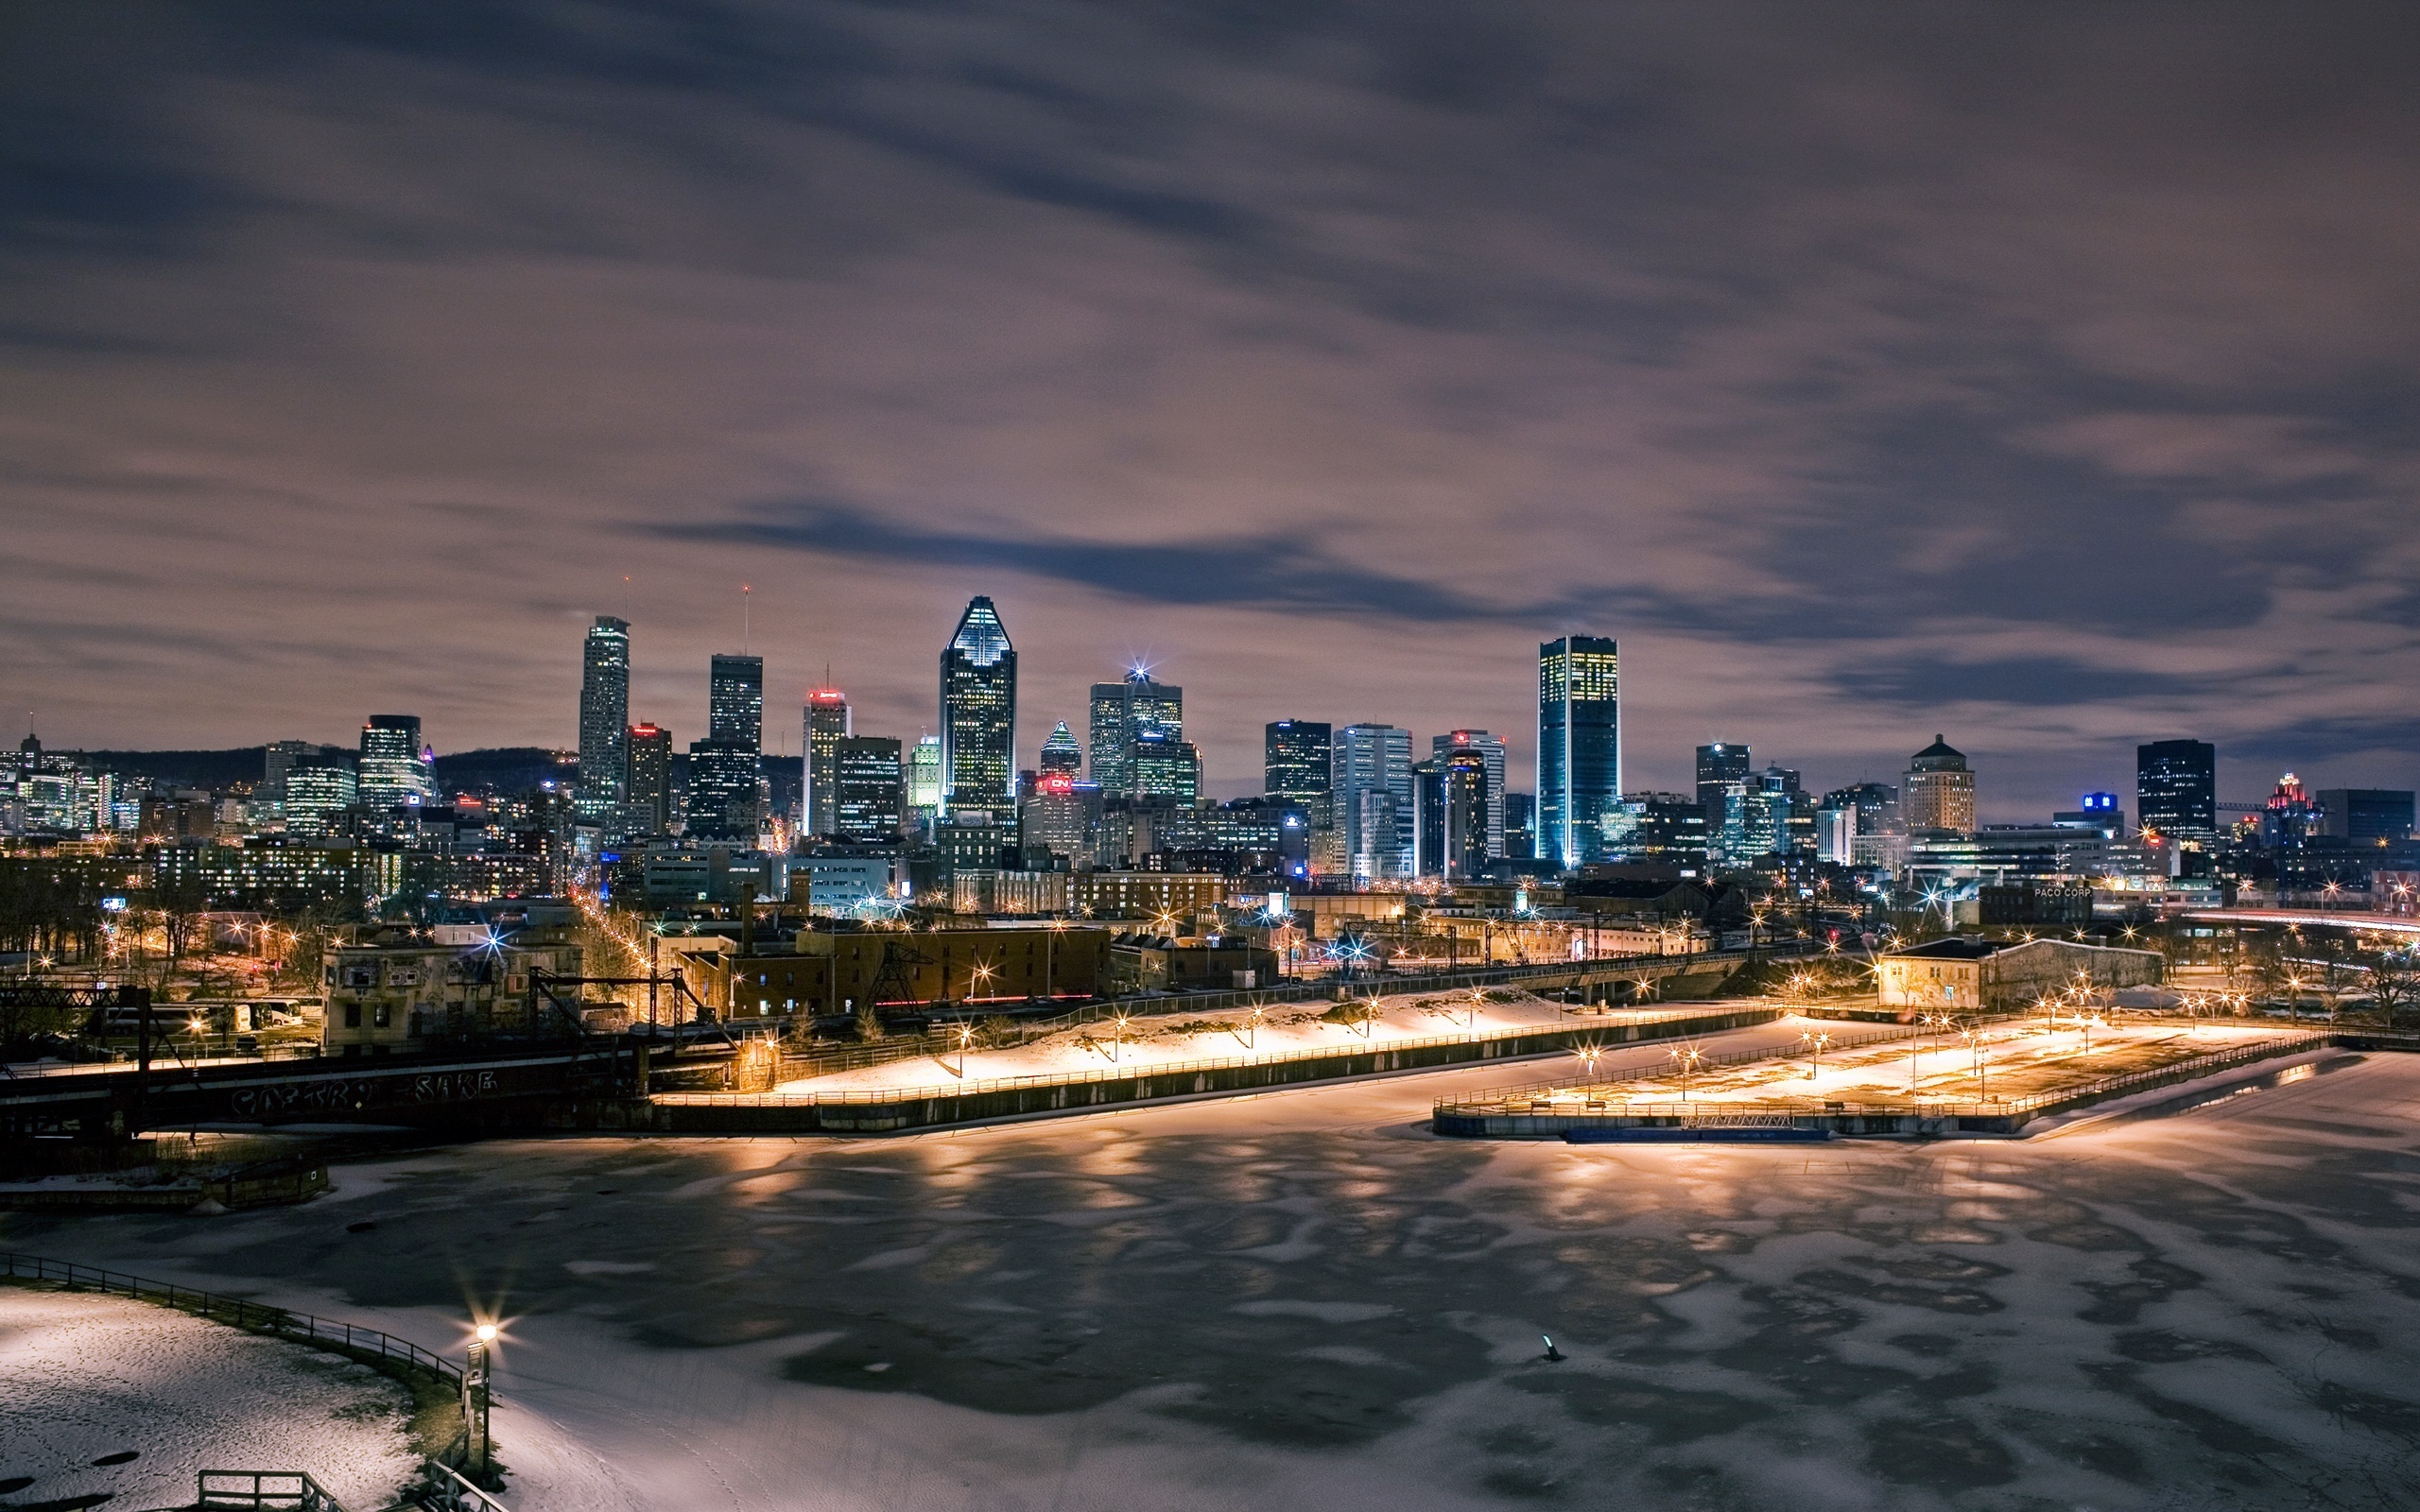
(1284,1032)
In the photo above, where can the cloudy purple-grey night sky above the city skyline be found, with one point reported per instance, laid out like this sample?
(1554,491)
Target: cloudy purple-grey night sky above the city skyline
(2032,374)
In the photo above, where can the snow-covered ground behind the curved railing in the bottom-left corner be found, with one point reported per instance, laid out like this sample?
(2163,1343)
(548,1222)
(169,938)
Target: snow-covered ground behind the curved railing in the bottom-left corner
(88,1378)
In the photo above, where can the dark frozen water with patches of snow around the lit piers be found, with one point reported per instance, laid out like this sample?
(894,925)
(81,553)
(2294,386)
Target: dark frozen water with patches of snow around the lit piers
(1306,1300)
